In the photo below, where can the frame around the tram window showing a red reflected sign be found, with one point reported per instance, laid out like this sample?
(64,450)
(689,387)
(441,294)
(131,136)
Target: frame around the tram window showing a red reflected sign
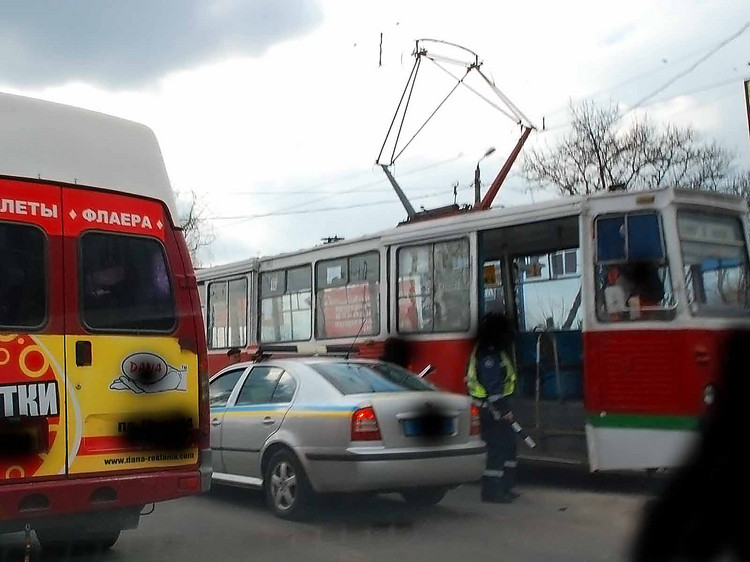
(322,284)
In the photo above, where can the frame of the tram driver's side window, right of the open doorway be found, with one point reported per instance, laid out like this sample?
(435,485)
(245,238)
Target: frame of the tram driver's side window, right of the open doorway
(665,313)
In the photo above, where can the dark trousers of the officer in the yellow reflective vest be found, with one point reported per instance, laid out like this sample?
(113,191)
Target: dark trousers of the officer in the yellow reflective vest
(500,473)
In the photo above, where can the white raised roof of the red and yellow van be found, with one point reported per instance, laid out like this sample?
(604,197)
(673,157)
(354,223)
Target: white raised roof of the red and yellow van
(56,142)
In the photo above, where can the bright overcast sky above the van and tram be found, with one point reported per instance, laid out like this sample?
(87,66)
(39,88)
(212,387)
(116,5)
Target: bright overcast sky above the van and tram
(251,99)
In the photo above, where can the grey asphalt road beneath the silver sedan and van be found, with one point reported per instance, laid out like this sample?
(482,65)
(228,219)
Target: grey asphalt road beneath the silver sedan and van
(559,517)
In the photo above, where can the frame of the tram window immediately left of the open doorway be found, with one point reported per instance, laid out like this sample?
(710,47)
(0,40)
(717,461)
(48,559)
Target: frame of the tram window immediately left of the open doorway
(431,294)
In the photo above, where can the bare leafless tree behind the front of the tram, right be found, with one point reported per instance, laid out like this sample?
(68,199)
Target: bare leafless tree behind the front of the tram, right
(602,151)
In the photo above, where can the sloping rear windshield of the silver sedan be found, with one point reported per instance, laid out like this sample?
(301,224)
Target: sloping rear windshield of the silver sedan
(361,378)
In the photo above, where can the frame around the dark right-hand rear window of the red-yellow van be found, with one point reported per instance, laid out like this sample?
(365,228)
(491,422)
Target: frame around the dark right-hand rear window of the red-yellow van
(82,273)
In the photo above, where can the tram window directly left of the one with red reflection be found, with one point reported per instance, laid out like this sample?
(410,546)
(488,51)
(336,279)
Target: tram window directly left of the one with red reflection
(286,305)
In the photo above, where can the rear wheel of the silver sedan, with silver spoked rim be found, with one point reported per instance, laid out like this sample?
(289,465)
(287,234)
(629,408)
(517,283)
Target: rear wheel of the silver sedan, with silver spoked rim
(286,487)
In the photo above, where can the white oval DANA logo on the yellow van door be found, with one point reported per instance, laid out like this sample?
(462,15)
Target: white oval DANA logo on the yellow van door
(148,373)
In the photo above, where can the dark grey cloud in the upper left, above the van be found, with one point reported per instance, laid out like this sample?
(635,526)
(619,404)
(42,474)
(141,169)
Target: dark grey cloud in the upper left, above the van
(127,44)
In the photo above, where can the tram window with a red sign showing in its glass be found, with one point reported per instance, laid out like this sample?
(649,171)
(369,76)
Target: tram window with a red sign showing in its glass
(348,296)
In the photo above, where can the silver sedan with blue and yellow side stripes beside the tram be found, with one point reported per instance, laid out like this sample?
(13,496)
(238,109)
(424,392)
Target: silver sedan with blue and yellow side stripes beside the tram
(302,426)
